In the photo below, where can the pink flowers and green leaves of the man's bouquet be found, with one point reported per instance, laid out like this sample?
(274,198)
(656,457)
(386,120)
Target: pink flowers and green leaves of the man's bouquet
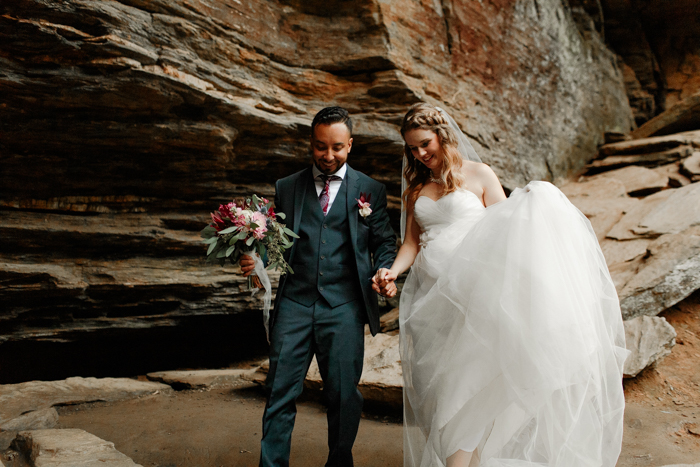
(248,227)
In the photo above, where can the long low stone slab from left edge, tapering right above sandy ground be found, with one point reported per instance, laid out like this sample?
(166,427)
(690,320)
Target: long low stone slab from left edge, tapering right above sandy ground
(18,399)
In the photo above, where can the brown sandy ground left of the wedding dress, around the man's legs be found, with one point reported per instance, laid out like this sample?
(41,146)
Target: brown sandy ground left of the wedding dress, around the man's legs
(215,428)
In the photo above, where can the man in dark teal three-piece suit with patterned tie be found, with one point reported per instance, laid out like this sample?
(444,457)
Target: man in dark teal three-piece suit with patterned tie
(322,308)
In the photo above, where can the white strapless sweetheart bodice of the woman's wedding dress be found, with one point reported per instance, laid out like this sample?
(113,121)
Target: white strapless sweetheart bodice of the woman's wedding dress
(461,206)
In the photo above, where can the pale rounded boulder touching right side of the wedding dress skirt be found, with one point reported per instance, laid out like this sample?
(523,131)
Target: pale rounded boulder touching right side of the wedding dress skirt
(649,339)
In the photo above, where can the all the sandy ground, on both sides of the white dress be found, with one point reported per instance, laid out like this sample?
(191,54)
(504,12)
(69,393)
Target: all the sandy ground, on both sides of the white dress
(221,427)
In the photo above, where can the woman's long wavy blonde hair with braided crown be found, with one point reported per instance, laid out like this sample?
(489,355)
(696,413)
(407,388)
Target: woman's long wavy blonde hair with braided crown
(427,117)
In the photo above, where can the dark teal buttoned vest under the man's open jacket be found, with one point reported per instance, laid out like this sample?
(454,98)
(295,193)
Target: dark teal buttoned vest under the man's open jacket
(324,260)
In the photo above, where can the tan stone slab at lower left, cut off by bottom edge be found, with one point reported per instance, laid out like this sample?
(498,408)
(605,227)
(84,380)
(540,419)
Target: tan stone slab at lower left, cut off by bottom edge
(68,448)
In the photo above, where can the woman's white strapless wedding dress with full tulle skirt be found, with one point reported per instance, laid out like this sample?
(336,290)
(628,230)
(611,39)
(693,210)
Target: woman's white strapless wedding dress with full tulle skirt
(512,341)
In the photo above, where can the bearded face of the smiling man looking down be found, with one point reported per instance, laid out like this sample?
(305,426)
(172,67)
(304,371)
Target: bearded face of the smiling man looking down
(330,145)
